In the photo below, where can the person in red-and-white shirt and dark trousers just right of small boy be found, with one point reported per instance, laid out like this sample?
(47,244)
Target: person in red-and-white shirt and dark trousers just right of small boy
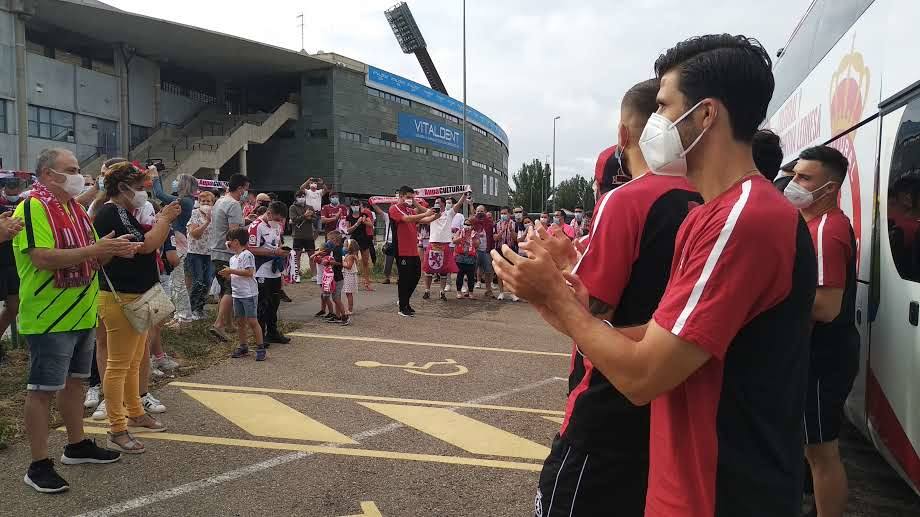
(265,244)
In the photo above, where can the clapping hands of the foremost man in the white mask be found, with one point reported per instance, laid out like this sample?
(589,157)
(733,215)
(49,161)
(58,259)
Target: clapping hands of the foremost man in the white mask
(535,277)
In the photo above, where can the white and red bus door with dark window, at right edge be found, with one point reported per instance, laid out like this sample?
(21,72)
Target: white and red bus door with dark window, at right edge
(893,377)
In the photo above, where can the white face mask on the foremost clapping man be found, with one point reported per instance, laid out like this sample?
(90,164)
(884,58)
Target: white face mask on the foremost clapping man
(661,146)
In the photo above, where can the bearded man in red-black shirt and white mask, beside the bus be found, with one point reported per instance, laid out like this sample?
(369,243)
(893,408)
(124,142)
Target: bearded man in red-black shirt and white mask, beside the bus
(834,362)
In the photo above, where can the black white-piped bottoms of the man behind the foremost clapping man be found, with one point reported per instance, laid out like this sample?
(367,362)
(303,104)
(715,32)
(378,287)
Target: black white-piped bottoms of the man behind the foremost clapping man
(574,482)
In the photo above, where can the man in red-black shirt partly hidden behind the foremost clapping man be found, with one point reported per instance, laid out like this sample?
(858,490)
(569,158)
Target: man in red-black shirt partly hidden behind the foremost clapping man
(601,452)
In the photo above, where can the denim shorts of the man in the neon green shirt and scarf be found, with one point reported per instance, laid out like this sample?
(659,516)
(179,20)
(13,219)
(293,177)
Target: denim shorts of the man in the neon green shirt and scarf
(55,356)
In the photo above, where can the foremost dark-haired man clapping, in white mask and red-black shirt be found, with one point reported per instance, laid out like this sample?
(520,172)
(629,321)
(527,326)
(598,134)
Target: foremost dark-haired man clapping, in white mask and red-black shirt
(726,434)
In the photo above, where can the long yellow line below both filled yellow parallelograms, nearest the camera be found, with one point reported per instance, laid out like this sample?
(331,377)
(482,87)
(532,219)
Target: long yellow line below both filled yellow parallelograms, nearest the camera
(319,449)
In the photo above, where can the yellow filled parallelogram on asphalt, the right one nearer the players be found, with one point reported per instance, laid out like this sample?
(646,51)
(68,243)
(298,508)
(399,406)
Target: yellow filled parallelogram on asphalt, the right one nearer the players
(462,431)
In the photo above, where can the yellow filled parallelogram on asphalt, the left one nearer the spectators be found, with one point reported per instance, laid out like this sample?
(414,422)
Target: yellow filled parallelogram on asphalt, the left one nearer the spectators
(261,415)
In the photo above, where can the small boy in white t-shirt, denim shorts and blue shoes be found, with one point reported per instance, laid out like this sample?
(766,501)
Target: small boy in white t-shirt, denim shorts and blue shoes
(245,291)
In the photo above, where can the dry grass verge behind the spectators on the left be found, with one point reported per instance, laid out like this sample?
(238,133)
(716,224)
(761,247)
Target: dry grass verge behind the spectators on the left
(191,344)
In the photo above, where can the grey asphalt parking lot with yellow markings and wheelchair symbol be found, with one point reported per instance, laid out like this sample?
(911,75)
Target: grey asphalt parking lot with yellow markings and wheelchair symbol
(448,413)
